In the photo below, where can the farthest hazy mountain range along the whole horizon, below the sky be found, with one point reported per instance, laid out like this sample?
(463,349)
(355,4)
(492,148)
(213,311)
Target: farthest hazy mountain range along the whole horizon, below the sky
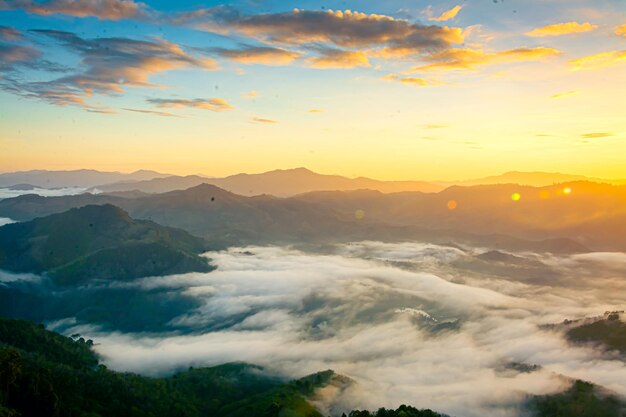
(280,183)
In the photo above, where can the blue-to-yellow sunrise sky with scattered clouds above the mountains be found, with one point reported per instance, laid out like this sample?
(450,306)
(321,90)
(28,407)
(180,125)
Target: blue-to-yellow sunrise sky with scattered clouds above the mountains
(432,90)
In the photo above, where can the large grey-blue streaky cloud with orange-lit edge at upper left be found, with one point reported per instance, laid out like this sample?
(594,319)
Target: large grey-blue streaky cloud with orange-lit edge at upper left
(107,66)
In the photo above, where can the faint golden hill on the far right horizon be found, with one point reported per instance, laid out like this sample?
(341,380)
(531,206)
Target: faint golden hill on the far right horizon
(535,179)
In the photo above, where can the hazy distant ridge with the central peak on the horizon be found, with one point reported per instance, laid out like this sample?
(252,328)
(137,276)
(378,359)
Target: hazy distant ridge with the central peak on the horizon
(281,183)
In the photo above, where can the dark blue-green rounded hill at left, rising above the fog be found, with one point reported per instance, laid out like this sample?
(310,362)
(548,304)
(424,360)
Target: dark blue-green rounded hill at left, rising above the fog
(98,242)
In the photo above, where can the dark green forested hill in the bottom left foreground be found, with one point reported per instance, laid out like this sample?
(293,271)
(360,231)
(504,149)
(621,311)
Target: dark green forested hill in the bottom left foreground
(45,374)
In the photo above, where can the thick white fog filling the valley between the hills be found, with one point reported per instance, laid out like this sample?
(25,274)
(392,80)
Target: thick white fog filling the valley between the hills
(432,326)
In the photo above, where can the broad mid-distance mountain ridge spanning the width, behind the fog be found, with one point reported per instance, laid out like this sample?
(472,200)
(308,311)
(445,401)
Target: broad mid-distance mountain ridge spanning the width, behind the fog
(485,216)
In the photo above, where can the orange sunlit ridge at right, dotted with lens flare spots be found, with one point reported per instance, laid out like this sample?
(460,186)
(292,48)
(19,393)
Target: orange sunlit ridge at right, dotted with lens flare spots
(593,214)
